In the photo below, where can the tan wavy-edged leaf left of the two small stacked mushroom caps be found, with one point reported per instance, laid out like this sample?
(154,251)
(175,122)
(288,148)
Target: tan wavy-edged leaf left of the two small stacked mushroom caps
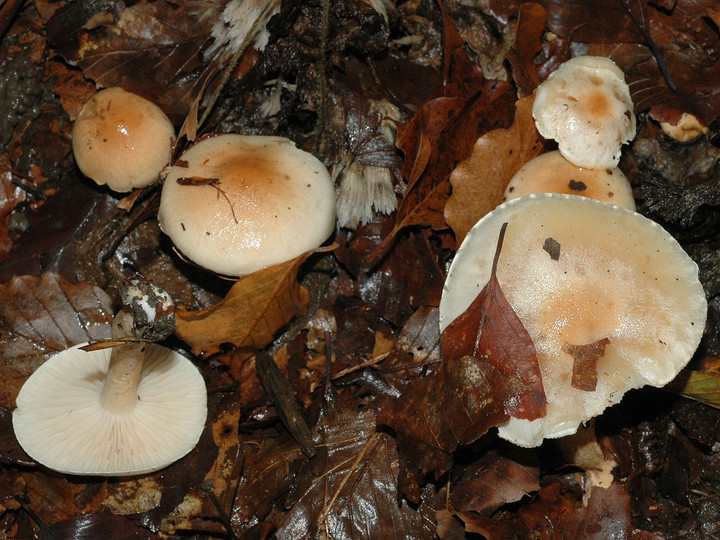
(479,182)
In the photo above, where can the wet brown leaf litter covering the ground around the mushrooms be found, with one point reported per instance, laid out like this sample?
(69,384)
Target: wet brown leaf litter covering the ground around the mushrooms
(401,418)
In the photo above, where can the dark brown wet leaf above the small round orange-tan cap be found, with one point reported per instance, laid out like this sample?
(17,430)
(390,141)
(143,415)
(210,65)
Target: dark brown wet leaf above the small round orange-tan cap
(152,49)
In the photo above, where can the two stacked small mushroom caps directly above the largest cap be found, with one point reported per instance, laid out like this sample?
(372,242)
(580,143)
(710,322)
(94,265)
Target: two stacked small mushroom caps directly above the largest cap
(585,106)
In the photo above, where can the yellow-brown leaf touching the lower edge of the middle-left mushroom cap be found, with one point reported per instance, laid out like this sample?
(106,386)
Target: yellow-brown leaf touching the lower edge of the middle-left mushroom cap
(255,309)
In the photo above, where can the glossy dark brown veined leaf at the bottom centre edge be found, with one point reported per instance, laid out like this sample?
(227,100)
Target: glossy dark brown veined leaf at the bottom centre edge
(351,491)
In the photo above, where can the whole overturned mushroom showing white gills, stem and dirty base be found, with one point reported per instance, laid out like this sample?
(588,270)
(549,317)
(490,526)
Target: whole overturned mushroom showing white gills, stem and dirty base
(123,411)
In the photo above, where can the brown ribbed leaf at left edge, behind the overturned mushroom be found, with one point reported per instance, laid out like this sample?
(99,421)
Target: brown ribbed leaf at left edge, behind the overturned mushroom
(42,316)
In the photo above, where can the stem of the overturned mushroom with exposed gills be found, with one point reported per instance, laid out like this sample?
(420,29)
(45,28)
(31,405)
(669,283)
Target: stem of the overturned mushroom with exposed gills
(126,362)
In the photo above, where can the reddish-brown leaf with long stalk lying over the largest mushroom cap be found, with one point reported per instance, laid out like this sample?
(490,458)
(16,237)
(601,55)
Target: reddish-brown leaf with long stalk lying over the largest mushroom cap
(489,372)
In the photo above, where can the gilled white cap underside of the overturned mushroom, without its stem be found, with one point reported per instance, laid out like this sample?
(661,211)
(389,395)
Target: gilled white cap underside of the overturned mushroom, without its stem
(59,420)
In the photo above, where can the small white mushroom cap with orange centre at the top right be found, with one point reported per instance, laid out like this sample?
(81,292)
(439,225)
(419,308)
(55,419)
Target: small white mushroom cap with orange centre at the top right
(585,106)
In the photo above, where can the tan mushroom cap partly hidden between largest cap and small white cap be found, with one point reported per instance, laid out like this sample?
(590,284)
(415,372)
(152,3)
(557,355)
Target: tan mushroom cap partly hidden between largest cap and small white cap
(552,173)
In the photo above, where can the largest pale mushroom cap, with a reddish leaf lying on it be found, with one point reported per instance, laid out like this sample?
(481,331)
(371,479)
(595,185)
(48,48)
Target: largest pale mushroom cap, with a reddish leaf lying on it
(618,276)
